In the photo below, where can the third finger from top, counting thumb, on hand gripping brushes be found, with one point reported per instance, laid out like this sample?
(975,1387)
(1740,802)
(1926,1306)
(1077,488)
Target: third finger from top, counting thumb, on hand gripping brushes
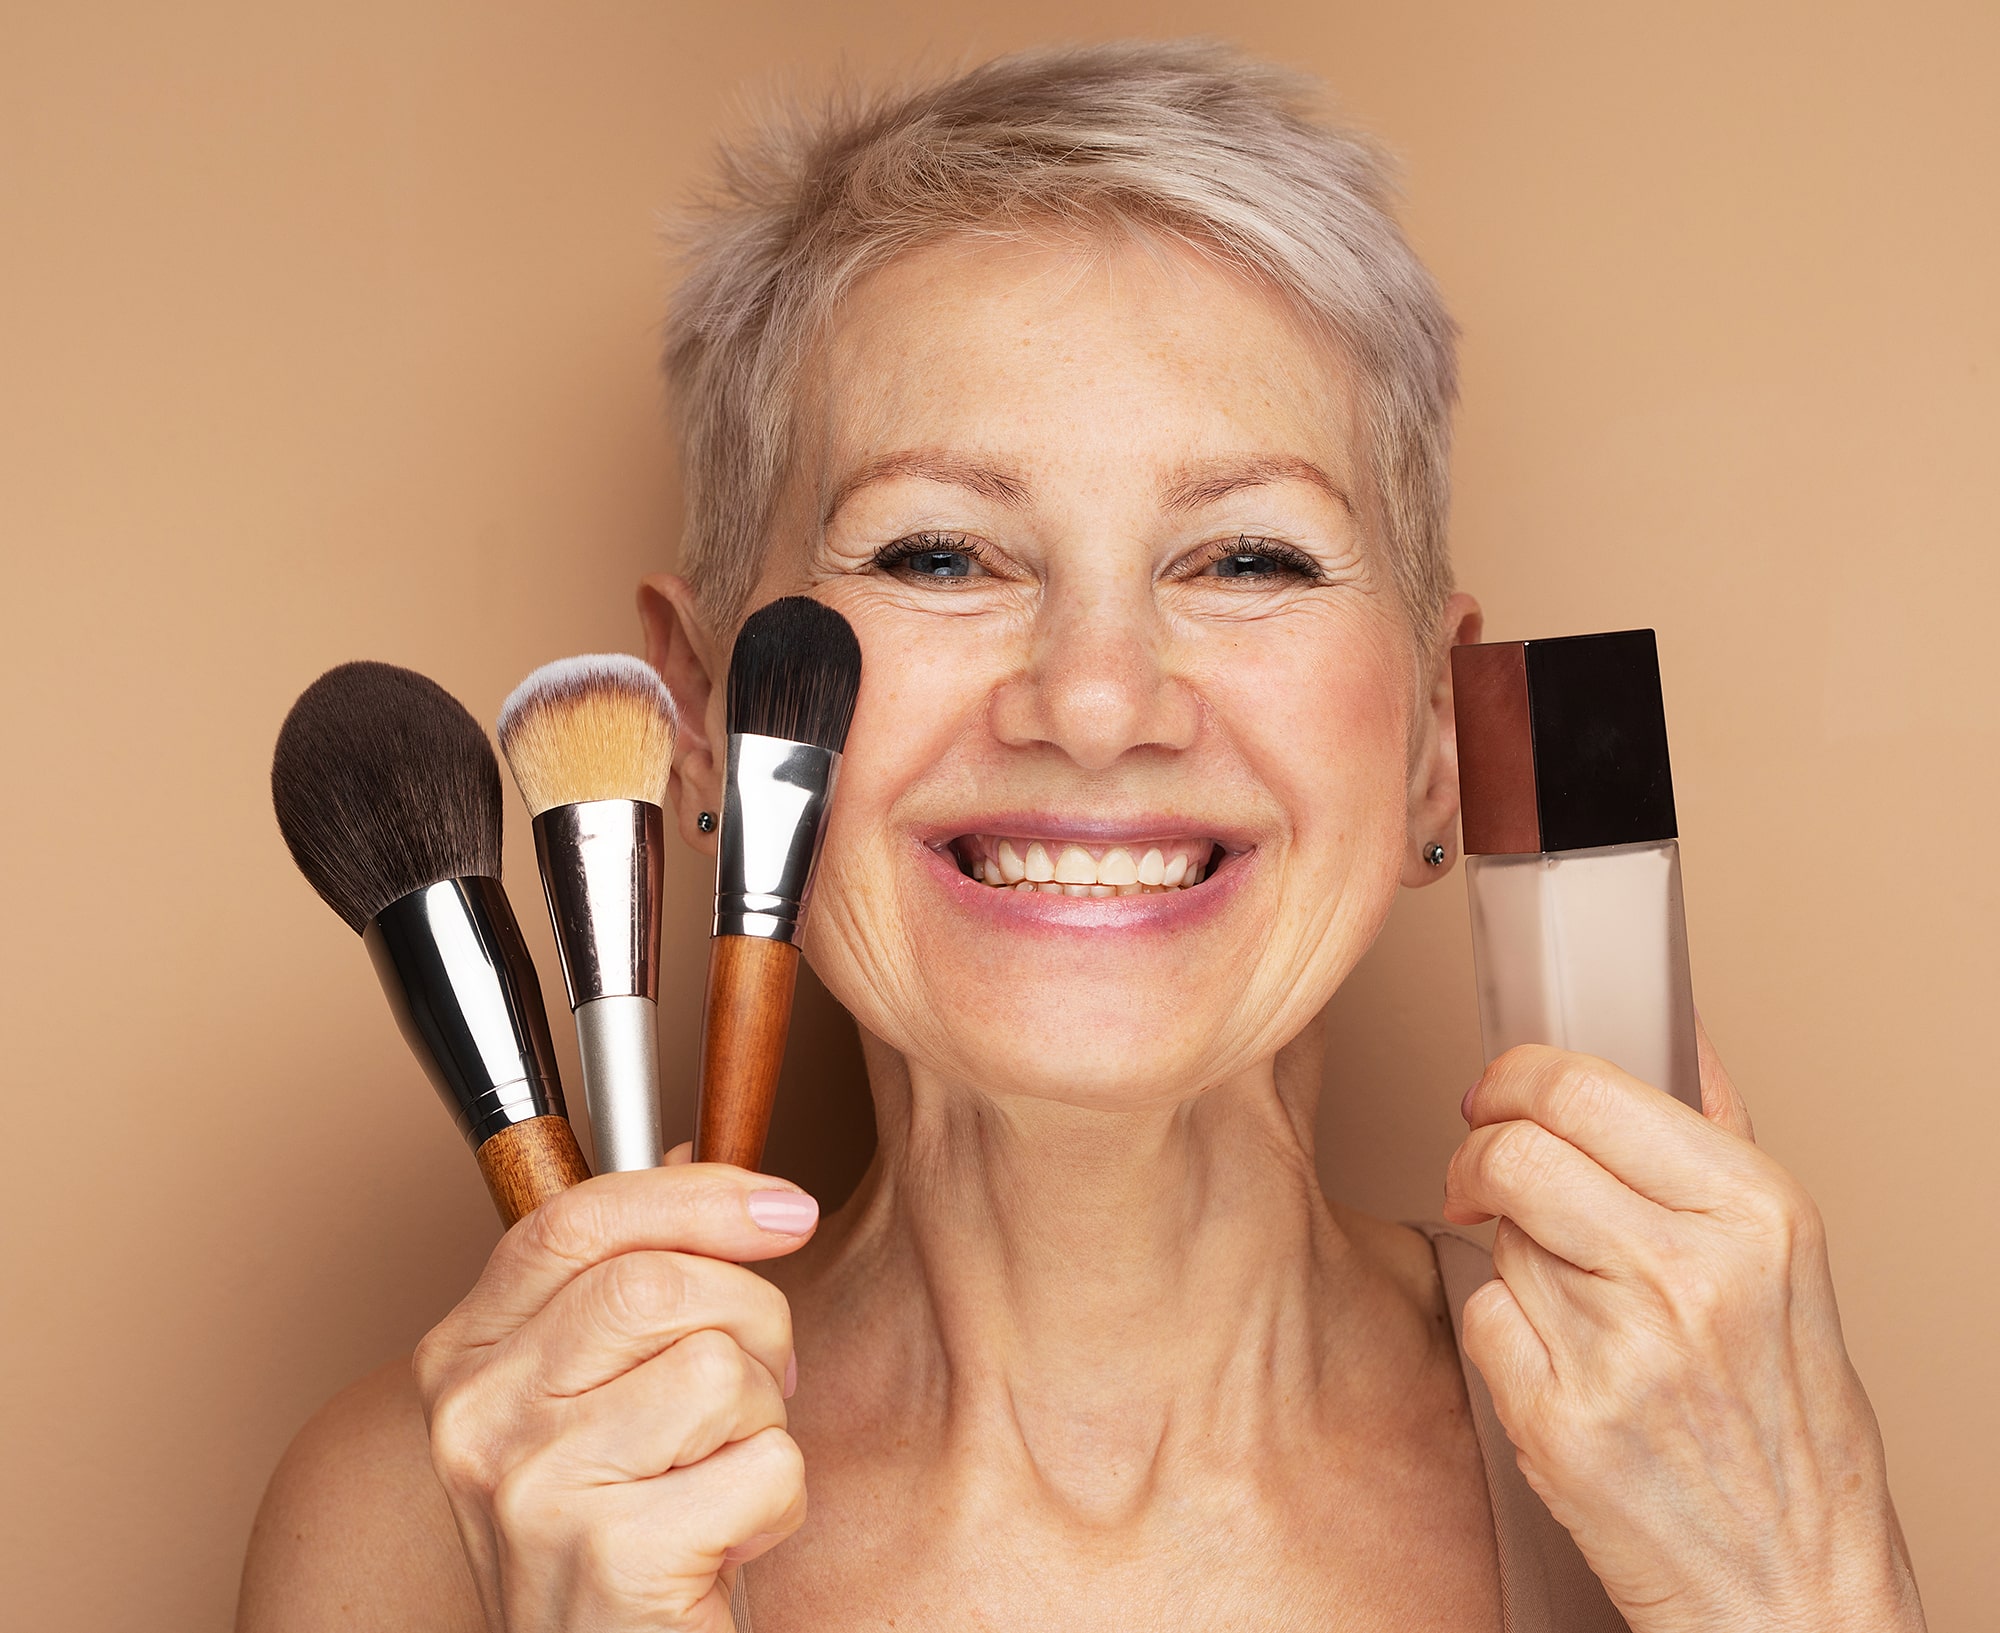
(667,1414)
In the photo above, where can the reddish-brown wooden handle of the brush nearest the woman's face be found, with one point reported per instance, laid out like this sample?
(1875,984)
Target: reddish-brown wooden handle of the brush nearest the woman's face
(745,1022)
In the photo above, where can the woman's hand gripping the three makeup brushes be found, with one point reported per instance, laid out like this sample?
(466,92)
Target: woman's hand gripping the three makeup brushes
(607,1406)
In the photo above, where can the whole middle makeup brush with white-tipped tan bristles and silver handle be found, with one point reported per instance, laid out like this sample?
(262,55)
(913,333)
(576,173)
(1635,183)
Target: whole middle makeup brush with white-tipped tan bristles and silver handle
(591,743)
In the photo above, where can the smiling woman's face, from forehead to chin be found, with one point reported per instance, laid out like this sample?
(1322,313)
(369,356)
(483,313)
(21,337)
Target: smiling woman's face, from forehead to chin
(1131,775)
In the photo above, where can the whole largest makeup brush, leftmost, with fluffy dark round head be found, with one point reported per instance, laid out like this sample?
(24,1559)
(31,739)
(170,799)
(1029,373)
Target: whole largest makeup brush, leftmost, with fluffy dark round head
(389,799)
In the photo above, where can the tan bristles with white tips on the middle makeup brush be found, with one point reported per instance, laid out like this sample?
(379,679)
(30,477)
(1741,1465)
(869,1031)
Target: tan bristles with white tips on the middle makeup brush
(593,727)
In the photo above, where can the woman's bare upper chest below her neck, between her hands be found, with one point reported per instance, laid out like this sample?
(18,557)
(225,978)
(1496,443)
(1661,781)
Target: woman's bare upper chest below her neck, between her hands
(1389,1530)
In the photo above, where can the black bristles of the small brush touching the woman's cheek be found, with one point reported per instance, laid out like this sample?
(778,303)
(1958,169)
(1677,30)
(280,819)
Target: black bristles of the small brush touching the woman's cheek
(795,673)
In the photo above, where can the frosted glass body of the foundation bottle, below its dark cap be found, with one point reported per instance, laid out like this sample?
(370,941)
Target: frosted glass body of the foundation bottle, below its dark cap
(1589,952)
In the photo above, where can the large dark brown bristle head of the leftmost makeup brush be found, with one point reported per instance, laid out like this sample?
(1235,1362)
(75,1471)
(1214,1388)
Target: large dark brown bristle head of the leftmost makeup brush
(385,785)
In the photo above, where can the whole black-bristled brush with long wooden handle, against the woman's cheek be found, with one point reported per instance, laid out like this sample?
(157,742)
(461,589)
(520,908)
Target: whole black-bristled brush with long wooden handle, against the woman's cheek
(795,673)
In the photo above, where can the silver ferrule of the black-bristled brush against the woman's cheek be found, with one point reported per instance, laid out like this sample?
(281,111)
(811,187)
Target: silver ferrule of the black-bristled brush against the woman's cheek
(775,805)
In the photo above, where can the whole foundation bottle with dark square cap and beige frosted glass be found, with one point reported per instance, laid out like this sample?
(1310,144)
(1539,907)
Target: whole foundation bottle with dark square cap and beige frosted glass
(1573,858)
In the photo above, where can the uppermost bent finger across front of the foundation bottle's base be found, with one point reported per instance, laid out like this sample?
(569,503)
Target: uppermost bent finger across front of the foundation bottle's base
(1639,1134)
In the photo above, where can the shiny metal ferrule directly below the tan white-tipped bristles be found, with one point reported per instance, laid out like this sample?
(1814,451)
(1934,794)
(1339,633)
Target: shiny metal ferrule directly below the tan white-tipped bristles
(601,870)
